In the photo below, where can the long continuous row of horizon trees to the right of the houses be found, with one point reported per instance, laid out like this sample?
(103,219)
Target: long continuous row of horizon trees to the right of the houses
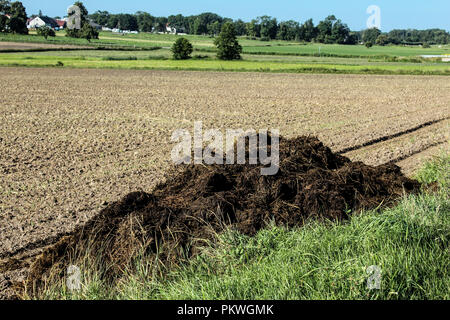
(329,30)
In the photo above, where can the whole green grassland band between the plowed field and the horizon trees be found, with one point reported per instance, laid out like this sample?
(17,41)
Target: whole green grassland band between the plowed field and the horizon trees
(152,52)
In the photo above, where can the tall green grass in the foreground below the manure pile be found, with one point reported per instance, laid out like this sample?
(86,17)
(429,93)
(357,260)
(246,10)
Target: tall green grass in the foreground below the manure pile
(408,242)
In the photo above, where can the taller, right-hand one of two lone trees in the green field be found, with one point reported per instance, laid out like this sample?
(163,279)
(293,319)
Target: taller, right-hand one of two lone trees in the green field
(227,44)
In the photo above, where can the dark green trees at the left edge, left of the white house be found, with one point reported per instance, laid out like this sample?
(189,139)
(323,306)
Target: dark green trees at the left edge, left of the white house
(13,17)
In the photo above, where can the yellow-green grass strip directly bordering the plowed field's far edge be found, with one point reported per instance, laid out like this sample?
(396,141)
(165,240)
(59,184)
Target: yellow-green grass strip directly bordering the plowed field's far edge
(158,62)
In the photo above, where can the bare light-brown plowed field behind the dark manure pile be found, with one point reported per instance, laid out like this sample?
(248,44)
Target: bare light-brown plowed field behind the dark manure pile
(72,141)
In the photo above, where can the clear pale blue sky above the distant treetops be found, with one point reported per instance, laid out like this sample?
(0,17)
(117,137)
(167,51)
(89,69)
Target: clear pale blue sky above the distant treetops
(417,14)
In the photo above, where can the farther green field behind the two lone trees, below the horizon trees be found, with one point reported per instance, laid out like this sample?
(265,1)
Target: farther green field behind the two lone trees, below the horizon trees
(275,47)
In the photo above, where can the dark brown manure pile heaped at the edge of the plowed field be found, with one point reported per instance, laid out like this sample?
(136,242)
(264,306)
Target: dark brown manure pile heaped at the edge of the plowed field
(177,216)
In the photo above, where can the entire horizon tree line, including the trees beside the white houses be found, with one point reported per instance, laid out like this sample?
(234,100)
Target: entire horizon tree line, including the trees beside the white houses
(331,30)
